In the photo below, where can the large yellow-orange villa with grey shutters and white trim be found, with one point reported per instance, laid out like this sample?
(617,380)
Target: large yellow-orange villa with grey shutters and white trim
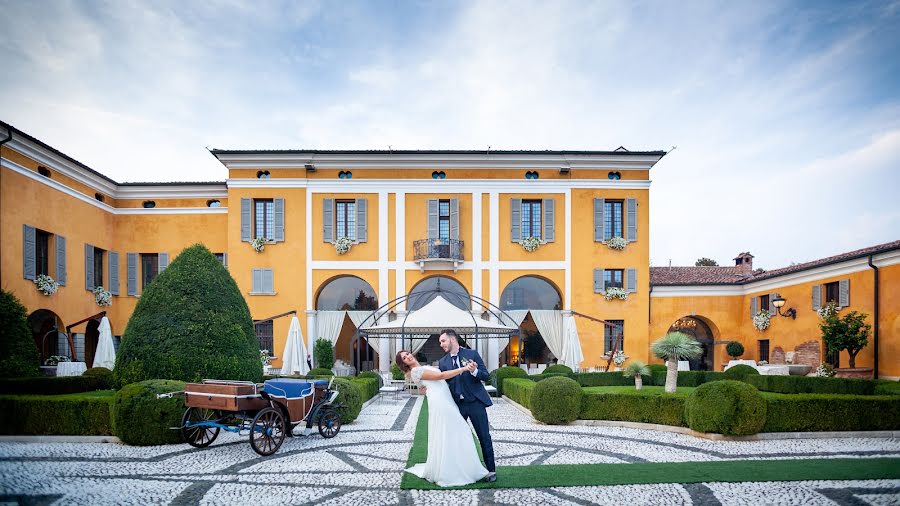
(547,236)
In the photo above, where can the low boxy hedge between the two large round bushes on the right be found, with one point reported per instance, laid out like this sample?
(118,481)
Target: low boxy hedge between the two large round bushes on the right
(648,405)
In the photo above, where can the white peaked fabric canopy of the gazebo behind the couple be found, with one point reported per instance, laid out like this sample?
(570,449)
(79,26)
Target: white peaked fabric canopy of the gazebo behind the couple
(437,315)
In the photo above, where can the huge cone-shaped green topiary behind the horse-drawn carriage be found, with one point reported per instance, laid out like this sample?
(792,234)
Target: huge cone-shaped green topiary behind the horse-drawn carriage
(190,323)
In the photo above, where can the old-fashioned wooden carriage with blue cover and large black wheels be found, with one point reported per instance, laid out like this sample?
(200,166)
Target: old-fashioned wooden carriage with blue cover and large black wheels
(269,411)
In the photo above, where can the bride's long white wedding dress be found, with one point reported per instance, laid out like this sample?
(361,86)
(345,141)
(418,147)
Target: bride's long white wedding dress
(452,457)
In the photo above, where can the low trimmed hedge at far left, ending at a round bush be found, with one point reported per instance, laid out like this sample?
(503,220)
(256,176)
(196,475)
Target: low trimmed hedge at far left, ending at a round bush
(81,414)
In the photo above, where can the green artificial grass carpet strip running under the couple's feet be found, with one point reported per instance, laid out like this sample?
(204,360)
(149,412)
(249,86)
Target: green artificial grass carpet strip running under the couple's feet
(728,471)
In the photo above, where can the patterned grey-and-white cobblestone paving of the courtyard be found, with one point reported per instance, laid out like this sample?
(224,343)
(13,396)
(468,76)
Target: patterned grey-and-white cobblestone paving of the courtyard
(364,463)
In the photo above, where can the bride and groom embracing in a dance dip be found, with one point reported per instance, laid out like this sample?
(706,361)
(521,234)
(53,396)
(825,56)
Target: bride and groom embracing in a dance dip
(455,393)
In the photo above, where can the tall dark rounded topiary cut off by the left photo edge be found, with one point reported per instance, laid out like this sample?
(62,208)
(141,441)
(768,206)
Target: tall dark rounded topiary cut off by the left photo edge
(20,357)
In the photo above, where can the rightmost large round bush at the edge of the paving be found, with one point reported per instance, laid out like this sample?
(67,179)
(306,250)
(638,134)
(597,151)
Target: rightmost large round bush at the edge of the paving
(727,407)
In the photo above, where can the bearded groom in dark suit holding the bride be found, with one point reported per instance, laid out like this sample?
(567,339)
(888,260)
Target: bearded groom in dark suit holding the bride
(469,393)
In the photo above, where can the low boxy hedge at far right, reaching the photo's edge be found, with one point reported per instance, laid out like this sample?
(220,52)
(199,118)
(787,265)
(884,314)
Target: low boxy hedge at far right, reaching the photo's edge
(829,412)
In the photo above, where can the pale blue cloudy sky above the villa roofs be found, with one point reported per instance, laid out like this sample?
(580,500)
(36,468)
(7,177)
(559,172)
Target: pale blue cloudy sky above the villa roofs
(786,115)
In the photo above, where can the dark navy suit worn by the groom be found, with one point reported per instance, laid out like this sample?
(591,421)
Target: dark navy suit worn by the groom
(472,399)
